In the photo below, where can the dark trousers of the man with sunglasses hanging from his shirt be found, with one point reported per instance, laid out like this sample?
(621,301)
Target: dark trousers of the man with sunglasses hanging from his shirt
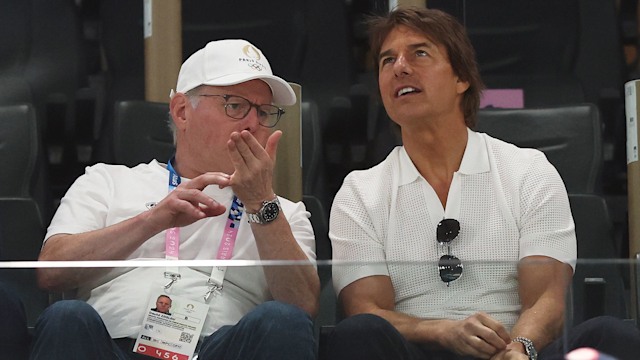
(370,337)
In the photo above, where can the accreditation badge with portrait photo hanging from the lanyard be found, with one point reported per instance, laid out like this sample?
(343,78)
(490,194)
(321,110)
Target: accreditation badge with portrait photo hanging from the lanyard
(171,327)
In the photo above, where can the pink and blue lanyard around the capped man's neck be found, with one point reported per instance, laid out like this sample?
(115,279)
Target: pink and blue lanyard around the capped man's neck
(225,250)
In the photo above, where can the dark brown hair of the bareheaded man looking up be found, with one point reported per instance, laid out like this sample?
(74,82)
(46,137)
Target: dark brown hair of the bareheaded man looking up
(444,30)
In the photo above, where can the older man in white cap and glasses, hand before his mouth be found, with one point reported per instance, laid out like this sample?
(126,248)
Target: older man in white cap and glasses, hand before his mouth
(213,200)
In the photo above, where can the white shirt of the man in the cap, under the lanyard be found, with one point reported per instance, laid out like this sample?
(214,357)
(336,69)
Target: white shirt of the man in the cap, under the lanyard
(109,194)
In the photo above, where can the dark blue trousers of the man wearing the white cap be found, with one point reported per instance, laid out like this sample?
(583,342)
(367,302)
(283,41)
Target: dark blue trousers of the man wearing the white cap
(72,329)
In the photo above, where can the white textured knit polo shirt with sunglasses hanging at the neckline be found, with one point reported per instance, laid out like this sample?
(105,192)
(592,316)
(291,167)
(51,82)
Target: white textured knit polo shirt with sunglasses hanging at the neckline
(510,202)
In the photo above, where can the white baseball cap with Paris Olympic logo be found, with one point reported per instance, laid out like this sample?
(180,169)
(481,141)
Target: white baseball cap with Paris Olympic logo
(231,62)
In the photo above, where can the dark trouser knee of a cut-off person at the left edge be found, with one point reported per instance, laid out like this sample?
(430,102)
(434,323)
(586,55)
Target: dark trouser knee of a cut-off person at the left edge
(14,338)
